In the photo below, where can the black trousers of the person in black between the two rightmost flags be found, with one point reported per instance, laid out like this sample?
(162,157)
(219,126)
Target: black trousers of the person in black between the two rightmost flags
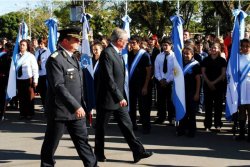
(213,100)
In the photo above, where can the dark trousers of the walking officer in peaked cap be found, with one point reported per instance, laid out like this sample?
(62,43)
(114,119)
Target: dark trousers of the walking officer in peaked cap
(78,133)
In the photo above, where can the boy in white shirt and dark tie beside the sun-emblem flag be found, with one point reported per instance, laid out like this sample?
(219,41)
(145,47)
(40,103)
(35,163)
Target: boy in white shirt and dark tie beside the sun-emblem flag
(164,74)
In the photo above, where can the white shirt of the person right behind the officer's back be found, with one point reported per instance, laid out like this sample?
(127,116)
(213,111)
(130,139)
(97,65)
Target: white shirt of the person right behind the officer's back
(44,57)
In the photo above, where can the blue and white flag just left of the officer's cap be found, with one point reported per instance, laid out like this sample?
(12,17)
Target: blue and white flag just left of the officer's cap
(52,40)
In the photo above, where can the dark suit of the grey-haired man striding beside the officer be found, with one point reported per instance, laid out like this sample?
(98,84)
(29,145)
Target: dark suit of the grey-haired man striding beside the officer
(110,91)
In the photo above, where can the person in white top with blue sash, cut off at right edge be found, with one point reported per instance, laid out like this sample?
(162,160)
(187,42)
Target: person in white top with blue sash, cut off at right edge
(244,107)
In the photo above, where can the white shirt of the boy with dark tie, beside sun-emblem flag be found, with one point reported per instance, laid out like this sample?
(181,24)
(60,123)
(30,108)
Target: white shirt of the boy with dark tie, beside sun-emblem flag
(159,74)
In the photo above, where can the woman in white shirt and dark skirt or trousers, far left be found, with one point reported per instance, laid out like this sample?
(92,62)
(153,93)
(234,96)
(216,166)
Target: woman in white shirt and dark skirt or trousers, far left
(27,80)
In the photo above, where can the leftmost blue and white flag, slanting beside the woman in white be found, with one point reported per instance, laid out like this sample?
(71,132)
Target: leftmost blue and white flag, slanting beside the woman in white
(11,87)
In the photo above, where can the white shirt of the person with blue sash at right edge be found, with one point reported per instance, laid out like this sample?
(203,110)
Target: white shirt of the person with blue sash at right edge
(245,85)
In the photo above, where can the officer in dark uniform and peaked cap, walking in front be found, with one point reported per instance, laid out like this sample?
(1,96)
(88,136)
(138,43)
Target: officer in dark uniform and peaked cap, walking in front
(65,106)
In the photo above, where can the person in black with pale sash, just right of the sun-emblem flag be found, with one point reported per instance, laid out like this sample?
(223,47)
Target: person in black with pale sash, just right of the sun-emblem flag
(192,92)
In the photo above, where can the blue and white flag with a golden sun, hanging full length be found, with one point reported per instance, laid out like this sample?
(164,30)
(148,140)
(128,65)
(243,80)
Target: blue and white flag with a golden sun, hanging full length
(178,93)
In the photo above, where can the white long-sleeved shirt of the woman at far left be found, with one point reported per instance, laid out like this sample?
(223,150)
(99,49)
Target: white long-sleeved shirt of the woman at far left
(29,67)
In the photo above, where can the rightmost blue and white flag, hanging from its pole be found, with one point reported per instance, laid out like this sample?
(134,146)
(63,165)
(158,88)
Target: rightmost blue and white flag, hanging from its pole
(233,93)
